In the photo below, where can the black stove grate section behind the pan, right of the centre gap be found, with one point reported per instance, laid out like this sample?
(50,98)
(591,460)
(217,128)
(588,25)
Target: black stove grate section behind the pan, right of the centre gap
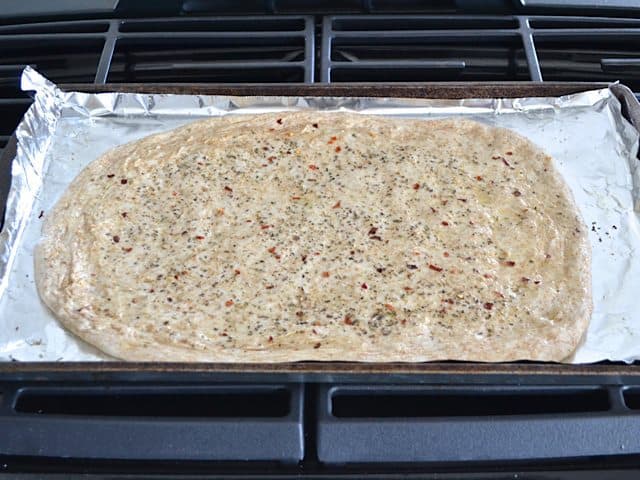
(480,48)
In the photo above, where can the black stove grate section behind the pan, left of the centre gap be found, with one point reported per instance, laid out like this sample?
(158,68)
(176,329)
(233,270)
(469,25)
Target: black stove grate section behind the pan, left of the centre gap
(249,49)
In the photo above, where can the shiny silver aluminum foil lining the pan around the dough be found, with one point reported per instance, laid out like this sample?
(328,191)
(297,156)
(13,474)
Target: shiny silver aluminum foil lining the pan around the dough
(593,145)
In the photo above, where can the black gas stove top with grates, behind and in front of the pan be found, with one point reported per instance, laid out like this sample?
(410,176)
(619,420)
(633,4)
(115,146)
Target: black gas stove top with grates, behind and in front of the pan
(496,426)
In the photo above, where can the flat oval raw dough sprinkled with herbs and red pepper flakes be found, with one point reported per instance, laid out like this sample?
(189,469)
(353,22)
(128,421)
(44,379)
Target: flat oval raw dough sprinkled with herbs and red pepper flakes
(320,236)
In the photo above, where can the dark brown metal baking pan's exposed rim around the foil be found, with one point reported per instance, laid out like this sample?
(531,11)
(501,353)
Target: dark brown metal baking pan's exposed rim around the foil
(431,372)
